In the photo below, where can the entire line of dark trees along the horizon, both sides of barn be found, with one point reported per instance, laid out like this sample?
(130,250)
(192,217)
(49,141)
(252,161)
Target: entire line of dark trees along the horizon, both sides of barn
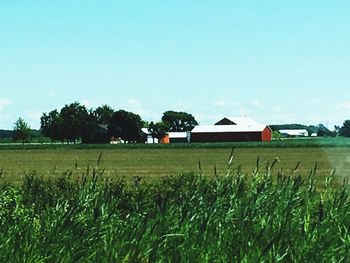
(74,122)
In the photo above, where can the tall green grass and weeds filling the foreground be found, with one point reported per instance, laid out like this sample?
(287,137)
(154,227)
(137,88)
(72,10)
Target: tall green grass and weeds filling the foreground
(236,217)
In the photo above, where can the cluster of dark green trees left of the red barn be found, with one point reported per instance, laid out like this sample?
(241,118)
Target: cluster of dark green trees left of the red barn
(74,122)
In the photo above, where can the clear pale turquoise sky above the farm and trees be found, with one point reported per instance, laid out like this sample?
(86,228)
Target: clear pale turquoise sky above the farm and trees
(273,61)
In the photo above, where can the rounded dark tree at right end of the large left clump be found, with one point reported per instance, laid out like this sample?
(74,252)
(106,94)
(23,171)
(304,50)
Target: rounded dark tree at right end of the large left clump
(126,125)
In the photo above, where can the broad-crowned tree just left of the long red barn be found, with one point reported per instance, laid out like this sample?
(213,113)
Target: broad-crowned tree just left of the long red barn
(179,121)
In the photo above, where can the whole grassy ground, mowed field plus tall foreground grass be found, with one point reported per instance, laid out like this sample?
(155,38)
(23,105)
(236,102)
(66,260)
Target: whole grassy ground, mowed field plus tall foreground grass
(248,215)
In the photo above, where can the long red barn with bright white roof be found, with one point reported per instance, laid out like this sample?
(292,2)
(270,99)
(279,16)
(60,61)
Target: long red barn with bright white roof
(232,130)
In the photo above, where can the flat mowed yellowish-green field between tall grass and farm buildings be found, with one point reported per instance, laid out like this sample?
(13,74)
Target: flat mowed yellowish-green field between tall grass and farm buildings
(153,163)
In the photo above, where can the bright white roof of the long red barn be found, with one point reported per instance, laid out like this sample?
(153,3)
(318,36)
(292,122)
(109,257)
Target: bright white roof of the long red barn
(243,124)
